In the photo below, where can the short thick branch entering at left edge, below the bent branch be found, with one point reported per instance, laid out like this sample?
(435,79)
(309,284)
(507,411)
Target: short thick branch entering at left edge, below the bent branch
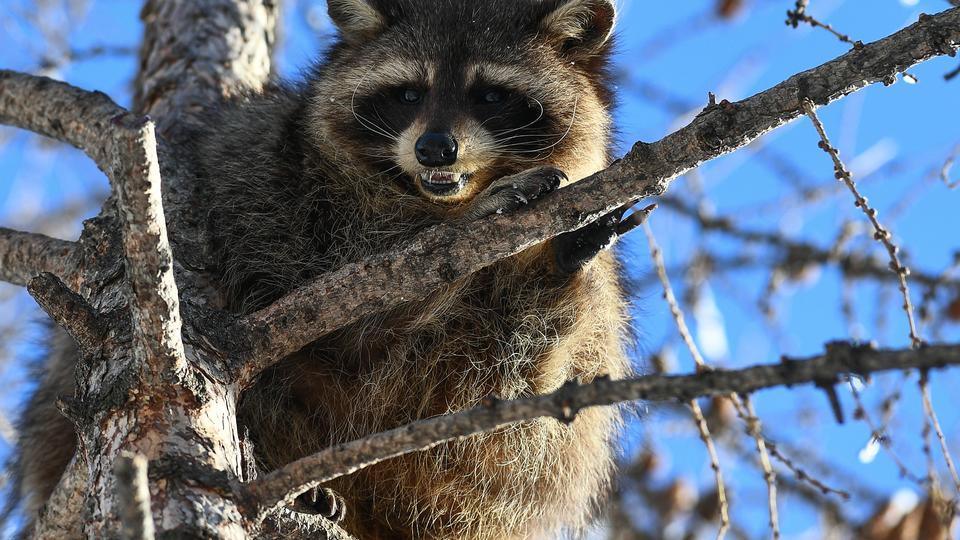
(25,255)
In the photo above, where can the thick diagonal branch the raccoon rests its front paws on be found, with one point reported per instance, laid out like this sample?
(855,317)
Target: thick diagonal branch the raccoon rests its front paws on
(447,252)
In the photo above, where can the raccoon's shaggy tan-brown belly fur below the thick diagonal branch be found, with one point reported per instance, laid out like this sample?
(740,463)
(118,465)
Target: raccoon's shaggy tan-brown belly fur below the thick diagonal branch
(511,330)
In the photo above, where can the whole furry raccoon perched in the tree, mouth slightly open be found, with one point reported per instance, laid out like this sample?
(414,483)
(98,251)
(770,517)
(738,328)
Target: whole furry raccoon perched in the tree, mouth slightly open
(425,112)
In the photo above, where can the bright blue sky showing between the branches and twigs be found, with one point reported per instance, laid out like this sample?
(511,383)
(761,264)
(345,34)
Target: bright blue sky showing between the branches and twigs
(891,136)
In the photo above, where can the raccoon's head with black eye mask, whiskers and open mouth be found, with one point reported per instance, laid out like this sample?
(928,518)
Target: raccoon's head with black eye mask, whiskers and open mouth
(445,97)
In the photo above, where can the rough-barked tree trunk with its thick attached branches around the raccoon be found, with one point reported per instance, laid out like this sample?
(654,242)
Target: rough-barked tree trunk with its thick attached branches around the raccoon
(162,367)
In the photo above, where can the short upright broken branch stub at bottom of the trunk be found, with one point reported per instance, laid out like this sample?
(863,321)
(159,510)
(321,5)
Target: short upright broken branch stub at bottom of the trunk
(133,494)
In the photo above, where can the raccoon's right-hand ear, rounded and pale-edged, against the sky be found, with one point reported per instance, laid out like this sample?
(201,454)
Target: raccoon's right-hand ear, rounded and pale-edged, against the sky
(581,28)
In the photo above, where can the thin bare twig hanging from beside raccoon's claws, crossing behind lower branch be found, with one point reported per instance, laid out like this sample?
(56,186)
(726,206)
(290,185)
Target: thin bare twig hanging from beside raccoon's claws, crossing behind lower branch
(657,255)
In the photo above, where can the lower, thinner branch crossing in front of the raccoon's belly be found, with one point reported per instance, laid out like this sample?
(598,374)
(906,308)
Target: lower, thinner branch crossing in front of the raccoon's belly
(282,486)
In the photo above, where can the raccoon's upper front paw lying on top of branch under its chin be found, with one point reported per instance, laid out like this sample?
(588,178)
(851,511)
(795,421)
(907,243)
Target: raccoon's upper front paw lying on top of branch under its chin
(511,192)
